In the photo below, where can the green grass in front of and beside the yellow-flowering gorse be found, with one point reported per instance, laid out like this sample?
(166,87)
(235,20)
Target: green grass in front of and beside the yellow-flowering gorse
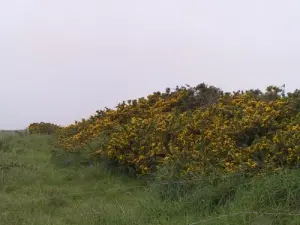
(37,188)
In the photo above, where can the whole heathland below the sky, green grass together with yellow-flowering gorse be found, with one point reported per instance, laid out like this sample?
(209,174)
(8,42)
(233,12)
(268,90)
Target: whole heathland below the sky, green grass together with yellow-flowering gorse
(193,155)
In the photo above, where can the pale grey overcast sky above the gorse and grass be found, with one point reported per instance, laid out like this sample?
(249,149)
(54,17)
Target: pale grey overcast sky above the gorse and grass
(61,60)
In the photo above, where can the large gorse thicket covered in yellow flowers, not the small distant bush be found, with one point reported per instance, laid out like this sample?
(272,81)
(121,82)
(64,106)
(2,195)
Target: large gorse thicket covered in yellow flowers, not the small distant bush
(199,129)
